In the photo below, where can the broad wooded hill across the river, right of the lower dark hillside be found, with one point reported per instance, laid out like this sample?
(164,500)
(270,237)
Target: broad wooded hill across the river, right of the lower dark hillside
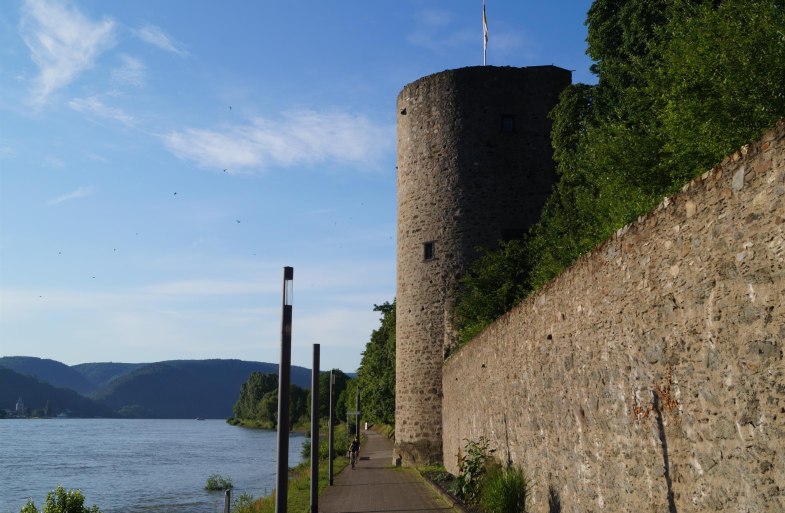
(186,388)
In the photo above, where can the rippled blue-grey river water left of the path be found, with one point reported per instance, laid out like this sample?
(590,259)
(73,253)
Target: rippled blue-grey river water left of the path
(130,466)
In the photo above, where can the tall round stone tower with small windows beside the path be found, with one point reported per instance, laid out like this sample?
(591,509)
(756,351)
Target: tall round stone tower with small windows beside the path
(474,167)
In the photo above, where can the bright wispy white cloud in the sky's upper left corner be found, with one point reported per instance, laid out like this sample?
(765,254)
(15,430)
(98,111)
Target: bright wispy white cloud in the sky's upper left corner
(63,43)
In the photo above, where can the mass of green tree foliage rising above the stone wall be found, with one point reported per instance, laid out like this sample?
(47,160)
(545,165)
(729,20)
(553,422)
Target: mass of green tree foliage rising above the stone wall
(680,85)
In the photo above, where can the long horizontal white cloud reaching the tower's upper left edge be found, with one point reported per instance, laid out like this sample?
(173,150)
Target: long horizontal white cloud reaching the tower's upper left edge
(297,138)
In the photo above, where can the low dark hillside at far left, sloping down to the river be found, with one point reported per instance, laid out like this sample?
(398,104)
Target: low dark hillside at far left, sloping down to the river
(35,395)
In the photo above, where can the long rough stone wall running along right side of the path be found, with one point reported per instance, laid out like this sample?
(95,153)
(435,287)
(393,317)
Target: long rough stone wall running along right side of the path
(649,376)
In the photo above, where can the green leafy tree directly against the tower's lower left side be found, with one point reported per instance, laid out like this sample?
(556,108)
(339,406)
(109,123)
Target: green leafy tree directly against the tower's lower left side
(376,374)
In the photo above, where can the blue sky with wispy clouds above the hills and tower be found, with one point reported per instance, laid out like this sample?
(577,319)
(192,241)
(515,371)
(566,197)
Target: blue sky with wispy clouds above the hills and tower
(161,162)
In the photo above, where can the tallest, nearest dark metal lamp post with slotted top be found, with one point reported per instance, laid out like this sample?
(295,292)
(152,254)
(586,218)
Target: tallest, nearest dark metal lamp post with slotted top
(284,381)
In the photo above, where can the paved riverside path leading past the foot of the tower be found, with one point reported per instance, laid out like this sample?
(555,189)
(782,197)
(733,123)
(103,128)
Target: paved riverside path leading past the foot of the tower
(374,486)
